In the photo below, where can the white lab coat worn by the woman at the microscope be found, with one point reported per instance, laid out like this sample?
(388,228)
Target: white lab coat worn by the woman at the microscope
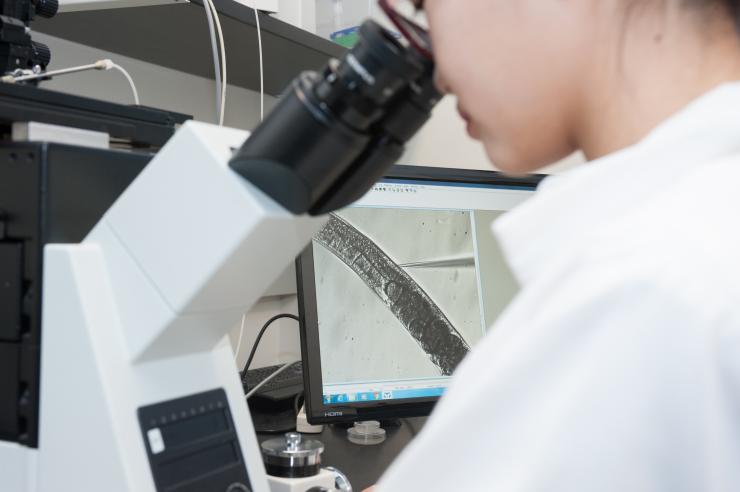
(617,367)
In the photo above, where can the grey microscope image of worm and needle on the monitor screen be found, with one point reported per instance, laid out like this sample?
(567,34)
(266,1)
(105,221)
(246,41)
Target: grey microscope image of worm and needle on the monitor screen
(398,292)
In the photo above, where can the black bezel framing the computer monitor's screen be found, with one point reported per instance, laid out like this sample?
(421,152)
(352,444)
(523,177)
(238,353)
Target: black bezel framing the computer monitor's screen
(316,411)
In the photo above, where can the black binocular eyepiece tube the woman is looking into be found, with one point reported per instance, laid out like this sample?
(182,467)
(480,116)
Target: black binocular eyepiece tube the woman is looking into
(336,132)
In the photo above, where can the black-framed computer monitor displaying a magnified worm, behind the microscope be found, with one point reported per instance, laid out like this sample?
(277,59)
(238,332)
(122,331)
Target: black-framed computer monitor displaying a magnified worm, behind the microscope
(395,290)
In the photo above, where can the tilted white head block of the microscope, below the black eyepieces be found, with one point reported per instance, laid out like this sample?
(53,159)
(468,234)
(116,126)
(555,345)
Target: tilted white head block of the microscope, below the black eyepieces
(191,245)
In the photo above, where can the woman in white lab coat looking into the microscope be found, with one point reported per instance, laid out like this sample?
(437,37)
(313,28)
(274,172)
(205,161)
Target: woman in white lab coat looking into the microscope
(617,367)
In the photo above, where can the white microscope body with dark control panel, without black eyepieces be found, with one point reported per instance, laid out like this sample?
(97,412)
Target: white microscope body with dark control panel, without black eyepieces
(139,389)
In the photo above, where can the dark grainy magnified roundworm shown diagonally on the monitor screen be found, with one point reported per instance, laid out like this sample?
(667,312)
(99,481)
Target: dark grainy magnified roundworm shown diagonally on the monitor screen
(408,302)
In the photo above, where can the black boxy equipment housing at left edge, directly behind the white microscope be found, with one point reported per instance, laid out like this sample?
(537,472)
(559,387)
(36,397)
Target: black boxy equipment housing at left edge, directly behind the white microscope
(49,193)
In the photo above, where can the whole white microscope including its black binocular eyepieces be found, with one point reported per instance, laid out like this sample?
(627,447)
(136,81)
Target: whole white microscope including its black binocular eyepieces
(139,388)
